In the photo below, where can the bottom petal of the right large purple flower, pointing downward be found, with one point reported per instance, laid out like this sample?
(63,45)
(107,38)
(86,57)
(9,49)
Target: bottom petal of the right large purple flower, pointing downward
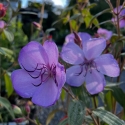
(95,82)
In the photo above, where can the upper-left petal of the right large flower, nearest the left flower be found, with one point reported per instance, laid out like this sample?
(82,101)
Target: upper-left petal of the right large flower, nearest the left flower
(71,53)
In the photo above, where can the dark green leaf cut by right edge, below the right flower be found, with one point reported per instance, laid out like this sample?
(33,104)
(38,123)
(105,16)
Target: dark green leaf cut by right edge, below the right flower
(119,95)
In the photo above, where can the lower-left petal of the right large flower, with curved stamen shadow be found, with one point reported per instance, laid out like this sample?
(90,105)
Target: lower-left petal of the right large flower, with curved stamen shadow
(73,76)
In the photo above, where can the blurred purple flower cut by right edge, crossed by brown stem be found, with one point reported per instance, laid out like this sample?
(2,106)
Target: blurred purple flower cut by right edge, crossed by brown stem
(121,13)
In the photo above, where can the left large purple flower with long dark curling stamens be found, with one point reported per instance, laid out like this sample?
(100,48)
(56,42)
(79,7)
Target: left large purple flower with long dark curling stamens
(42,76)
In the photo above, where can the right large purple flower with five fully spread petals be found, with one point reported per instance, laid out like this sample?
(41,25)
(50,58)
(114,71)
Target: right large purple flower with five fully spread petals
(89,64)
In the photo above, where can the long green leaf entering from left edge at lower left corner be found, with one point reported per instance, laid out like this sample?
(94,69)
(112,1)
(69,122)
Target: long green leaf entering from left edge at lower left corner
(5,103)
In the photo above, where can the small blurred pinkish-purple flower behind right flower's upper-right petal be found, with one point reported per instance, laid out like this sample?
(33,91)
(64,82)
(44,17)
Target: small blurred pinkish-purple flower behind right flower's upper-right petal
(104,33)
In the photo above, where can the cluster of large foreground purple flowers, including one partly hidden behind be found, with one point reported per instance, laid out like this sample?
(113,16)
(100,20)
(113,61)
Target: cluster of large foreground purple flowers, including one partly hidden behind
(42,76)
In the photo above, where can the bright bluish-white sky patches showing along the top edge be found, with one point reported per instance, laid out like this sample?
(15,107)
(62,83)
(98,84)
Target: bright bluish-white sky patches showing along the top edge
(56,2)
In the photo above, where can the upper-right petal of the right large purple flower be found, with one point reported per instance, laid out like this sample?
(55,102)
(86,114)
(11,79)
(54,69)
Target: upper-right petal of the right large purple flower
(94,47)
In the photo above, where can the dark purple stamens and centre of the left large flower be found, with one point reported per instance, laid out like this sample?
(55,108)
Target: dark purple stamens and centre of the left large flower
(44,72)
